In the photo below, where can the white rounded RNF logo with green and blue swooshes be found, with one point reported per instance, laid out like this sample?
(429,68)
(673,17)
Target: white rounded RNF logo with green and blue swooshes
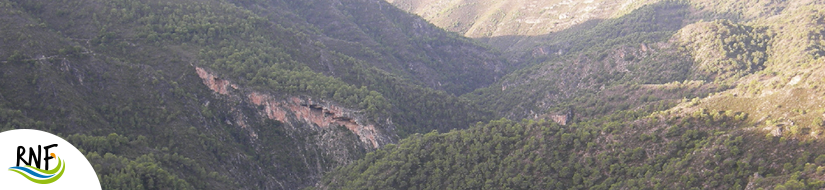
(36,159)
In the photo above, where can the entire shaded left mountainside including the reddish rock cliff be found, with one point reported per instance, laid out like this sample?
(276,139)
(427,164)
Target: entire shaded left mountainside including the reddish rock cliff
(231,94)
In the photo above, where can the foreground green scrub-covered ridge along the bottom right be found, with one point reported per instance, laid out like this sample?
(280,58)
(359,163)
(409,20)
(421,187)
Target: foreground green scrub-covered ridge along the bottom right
(703,150)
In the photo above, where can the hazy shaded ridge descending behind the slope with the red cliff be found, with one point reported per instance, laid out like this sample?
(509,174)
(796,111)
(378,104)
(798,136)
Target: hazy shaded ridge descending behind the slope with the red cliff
(389,39)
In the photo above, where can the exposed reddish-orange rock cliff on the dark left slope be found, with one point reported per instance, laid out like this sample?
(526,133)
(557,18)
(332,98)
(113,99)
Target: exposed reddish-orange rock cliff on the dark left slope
(337,133)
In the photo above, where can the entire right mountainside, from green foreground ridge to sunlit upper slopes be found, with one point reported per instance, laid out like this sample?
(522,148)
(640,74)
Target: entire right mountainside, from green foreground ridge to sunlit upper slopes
(731,102)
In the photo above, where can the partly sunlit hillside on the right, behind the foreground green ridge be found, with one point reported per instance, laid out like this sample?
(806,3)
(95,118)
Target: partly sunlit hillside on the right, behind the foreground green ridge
(622,63)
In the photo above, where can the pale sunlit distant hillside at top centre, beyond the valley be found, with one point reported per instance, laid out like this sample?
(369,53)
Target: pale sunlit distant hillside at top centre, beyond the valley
(487,19)
